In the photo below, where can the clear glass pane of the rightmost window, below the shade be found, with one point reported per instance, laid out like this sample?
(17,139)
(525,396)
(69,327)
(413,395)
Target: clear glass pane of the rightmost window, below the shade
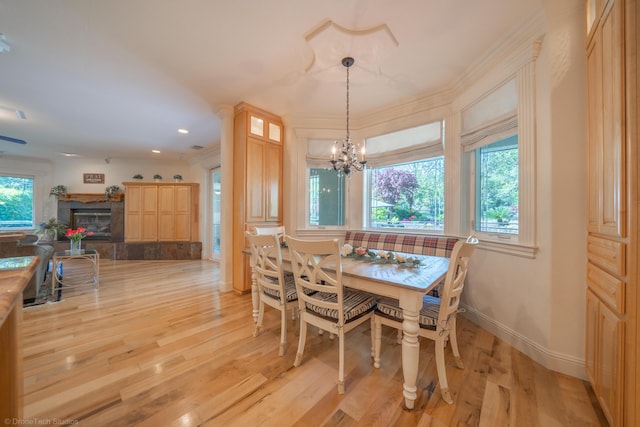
(496,189)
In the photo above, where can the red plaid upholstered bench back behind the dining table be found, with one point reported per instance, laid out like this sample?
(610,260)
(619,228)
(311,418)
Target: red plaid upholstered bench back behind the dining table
(420,244)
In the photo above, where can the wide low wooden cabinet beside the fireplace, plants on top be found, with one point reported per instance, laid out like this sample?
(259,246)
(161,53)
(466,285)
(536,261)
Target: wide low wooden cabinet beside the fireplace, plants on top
(161,212)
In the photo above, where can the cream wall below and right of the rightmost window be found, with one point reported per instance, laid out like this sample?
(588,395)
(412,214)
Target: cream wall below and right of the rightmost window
(539,305)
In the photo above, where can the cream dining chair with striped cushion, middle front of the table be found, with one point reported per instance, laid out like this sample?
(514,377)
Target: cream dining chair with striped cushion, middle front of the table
(322,299)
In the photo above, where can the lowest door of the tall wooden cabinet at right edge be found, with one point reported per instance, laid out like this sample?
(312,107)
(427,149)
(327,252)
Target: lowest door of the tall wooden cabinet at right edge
(611,364)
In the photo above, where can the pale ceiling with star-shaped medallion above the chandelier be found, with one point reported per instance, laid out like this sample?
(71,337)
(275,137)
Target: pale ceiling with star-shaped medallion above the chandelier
(117,78)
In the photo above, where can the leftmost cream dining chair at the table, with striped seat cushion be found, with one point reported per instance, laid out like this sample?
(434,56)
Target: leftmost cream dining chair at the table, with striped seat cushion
(275,289)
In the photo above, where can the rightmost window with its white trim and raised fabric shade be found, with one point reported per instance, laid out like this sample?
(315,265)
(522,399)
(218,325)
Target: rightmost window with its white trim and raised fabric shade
(493,150)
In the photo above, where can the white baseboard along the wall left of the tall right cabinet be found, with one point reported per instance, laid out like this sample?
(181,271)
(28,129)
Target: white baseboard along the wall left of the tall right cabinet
(555,361)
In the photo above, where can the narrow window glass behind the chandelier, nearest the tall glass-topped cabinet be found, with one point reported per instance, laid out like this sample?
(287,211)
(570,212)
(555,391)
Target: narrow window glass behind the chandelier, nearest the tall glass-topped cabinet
(326,197)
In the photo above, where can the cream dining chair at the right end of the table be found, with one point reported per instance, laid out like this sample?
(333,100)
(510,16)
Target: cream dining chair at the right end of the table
(438,315)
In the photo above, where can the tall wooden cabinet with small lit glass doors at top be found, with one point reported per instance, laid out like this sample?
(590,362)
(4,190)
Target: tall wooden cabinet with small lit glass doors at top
(257,181)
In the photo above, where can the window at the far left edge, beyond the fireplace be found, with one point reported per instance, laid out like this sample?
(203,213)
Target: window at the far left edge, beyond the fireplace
(16,202)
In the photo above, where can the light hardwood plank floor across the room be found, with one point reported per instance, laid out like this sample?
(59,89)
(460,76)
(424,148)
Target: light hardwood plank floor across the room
(158,345)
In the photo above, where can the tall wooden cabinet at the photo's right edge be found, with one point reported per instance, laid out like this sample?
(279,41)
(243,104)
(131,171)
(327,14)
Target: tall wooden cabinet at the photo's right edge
(612,352)
